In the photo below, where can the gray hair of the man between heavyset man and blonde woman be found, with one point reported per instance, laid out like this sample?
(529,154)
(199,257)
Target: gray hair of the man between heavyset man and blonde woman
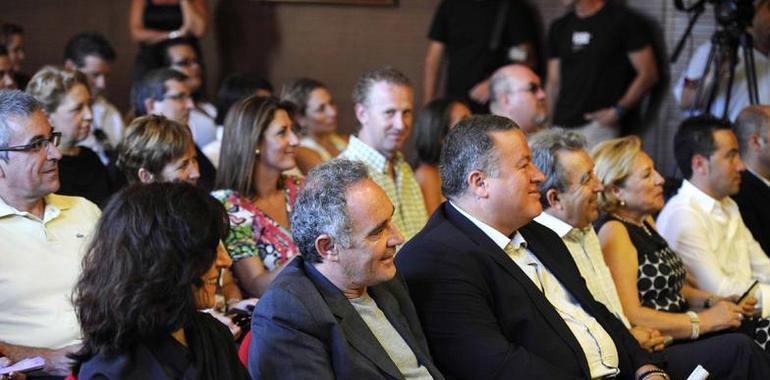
(545,144)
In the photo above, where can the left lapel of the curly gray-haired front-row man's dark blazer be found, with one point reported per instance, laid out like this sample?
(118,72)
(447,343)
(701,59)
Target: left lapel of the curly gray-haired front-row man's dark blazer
(356,331)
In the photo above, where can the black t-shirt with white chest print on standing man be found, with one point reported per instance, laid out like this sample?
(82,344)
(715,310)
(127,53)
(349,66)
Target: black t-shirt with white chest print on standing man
(593,54)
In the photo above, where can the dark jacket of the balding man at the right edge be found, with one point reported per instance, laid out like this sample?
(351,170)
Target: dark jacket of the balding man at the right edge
(754,202)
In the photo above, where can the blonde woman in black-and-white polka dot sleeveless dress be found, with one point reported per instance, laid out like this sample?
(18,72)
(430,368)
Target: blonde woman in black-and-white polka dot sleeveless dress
(650,278)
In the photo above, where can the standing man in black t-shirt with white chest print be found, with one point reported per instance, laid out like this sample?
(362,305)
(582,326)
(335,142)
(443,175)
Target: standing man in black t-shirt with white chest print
(600,65)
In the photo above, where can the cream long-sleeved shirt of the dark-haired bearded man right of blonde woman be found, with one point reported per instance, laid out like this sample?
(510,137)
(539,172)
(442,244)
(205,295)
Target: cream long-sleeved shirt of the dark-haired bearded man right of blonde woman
(715,245)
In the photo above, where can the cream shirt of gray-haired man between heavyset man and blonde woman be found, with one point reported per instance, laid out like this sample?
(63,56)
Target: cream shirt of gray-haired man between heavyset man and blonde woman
(584,246)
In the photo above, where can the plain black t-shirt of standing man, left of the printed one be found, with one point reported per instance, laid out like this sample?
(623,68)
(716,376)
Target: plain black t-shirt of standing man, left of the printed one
(465,27)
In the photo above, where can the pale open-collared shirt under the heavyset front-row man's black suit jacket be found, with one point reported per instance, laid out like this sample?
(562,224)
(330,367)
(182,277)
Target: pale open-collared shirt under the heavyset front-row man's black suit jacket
(598,347)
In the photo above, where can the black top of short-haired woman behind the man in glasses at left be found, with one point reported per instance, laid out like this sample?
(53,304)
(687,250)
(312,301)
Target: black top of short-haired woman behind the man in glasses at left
(84,176)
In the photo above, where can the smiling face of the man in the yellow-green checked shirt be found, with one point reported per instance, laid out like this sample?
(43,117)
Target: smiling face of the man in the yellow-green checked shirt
(386,117)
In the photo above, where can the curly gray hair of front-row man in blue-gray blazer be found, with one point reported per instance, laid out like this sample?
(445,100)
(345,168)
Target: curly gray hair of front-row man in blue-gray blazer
(321,206)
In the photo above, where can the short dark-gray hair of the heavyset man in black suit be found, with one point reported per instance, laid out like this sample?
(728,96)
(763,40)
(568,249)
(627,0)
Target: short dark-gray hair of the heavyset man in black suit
(469,146)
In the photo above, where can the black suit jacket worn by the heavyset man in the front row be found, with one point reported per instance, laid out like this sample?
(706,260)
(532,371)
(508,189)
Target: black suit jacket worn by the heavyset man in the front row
(482,315)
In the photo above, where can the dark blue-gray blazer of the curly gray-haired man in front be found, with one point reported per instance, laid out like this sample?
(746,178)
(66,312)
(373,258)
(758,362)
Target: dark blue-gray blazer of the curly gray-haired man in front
(305,328)
